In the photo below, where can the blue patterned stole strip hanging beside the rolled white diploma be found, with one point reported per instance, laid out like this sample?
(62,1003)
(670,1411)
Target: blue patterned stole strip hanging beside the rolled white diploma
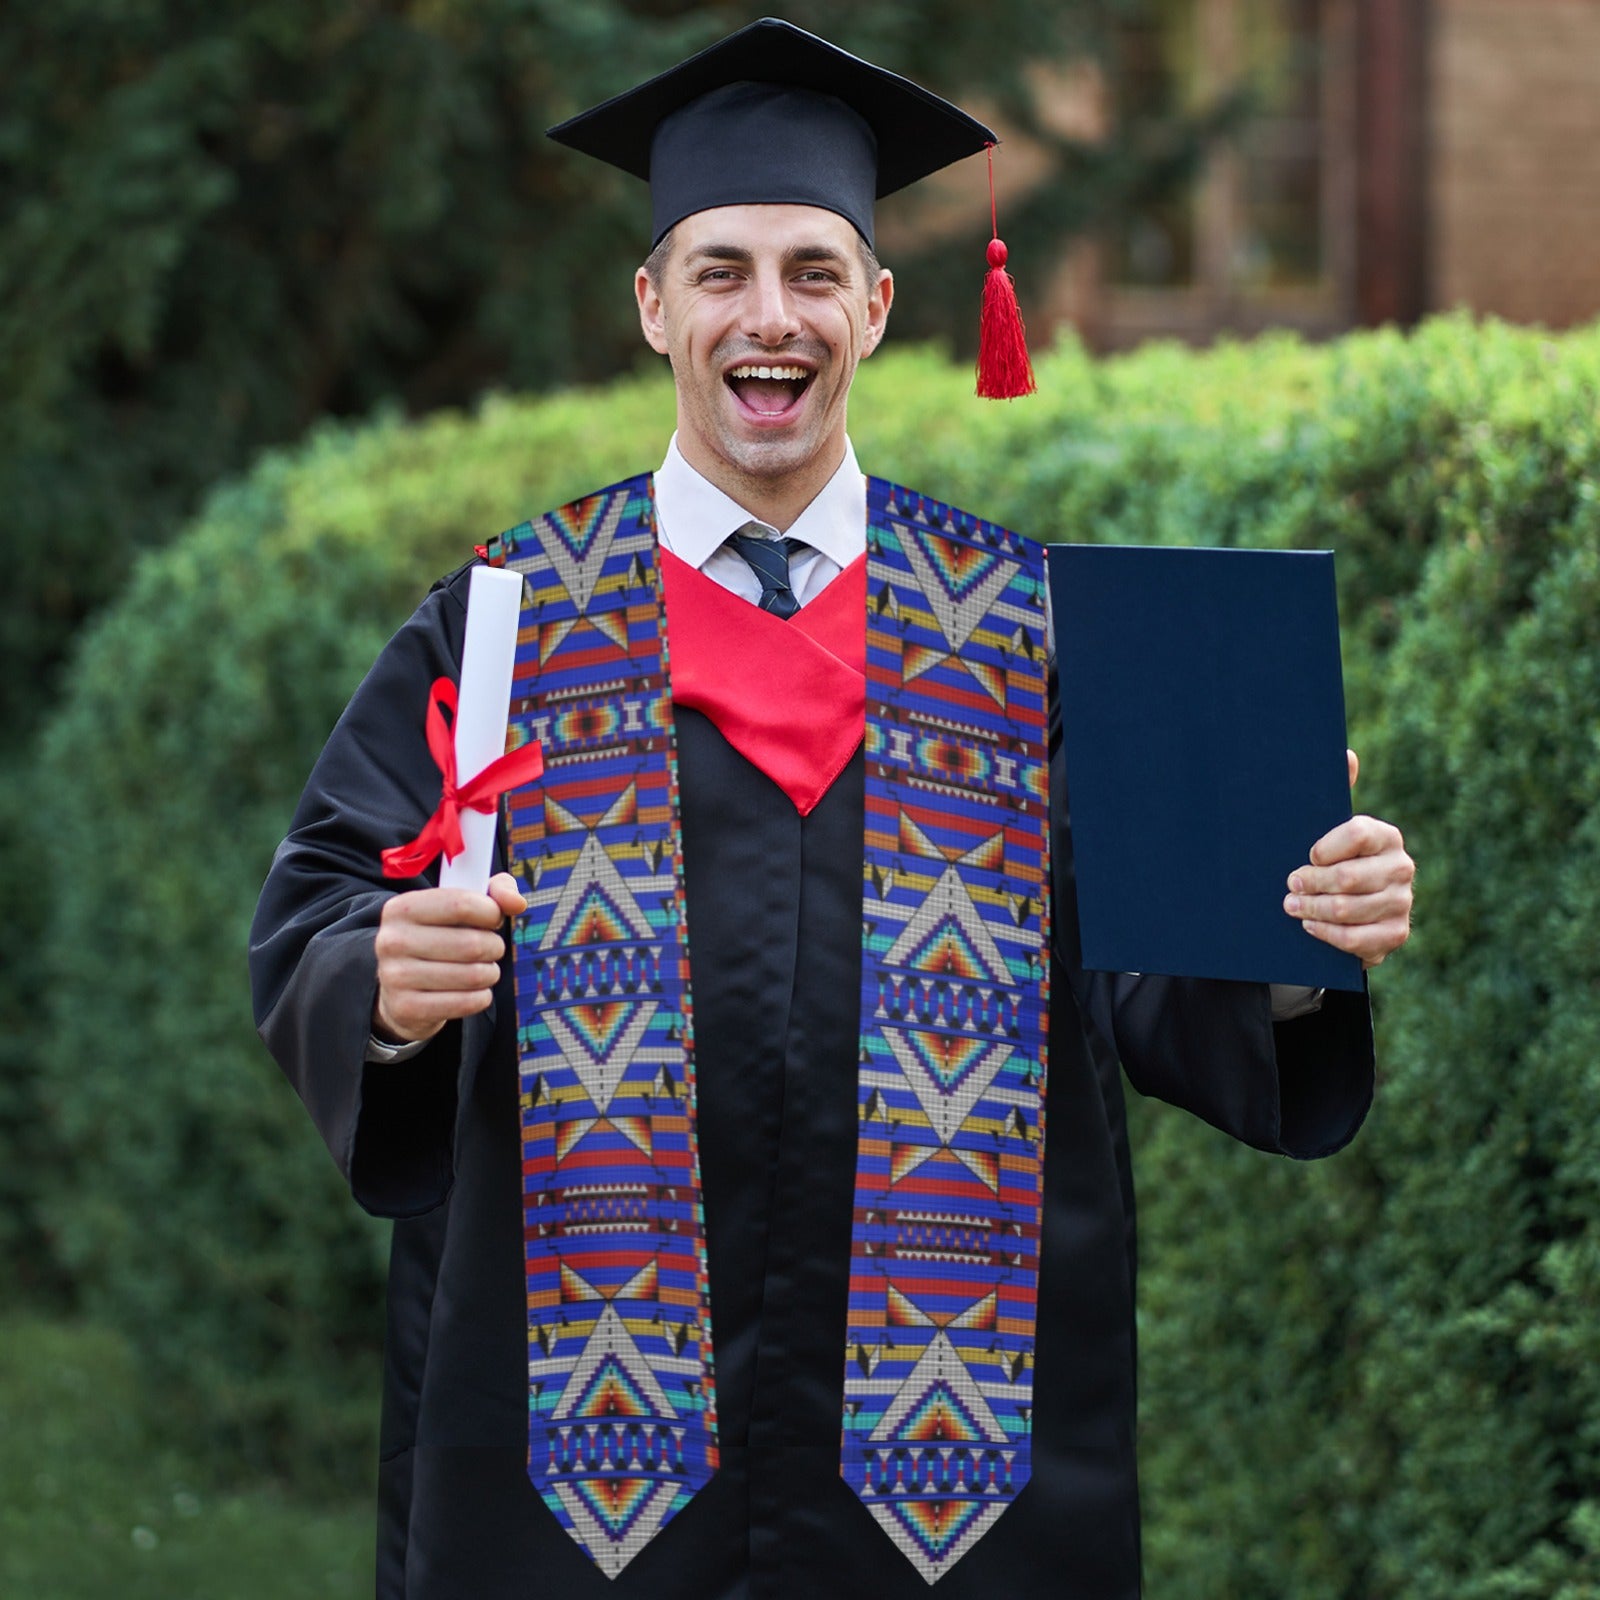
(622,1404)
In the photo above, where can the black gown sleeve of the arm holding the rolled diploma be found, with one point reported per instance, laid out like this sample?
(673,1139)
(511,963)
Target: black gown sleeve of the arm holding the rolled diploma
(313,959)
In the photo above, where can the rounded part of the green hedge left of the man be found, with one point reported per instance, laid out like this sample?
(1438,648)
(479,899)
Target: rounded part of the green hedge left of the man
(194,1209)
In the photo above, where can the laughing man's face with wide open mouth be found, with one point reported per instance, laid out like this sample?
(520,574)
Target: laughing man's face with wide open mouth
(764,313)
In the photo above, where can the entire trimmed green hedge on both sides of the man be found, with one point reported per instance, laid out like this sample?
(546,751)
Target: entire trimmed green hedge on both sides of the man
(1370,1378)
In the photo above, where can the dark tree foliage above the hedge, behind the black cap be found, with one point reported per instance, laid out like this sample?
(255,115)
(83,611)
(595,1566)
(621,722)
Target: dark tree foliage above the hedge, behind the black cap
(223,223)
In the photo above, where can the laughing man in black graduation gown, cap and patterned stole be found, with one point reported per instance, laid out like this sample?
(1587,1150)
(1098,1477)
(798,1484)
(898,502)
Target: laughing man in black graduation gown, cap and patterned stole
(396,1018)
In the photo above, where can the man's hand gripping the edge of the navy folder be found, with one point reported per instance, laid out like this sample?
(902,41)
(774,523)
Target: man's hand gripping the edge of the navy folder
(1356,890)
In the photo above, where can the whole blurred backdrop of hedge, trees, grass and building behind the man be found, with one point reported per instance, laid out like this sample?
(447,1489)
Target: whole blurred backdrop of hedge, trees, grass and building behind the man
(297,305)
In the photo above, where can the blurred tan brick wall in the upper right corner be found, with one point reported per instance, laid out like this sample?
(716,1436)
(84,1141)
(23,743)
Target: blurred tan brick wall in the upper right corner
(1516,159)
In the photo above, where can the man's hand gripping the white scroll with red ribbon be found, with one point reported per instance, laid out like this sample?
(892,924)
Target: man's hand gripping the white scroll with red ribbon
(439,954)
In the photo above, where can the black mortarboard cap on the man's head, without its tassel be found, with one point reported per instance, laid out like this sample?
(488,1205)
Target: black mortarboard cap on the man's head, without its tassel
(775,116)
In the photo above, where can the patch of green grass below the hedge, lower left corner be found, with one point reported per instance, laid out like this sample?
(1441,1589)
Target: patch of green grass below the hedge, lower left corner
(94,1505)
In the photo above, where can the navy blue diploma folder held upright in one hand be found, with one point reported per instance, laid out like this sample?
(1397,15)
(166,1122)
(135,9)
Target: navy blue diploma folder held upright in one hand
(1202,714)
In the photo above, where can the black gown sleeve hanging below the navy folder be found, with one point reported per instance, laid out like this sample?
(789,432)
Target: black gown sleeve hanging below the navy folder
(1209,1046)
